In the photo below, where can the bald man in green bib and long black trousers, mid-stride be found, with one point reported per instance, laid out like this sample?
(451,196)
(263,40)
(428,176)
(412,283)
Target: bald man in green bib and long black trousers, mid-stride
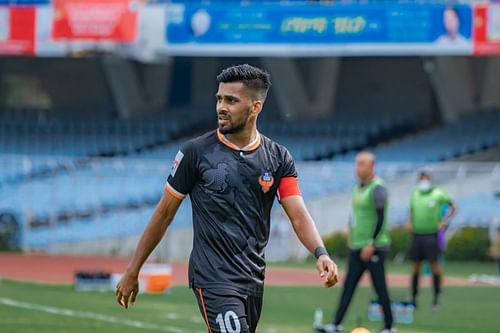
(369,241)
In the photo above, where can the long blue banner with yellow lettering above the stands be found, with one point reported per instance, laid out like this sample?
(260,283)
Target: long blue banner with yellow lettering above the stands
(329,27)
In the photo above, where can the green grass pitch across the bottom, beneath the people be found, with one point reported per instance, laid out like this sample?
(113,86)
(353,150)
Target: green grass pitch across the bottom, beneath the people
(37,308)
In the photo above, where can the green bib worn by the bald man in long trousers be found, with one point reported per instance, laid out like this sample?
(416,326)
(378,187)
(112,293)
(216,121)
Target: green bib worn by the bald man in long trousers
(365,217)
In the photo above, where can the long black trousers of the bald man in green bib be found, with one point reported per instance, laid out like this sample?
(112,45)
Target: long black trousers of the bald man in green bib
(355,271)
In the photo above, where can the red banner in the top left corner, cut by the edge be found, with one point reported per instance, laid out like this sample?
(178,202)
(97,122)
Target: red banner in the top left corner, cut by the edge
(17,30)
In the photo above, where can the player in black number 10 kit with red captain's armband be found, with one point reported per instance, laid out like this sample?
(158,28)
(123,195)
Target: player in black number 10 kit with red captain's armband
(232,175)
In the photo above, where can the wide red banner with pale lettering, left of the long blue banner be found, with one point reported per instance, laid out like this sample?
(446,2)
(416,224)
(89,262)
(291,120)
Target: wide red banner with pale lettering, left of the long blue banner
(95,20)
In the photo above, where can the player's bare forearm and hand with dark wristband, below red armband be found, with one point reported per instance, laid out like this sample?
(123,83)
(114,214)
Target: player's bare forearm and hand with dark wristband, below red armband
(305,229)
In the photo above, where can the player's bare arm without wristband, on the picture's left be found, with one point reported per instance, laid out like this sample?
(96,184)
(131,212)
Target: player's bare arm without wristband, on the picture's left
(163,214)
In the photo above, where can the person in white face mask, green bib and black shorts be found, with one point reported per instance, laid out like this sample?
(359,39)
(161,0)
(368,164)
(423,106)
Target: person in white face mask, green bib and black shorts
(425,223)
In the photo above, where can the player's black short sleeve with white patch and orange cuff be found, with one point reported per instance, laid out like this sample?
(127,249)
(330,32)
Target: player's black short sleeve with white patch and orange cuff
(183,173)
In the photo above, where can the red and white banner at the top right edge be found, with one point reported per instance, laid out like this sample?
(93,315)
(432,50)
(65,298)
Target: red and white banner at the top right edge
(487,29)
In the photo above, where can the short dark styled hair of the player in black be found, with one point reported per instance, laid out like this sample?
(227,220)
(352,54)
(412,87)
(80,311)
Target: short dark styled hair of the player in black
(252,77)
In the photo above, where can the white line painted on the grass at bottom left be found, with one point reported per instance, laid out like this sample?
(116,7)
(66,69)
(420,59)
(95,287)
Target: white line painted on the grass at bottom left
(89,315)
